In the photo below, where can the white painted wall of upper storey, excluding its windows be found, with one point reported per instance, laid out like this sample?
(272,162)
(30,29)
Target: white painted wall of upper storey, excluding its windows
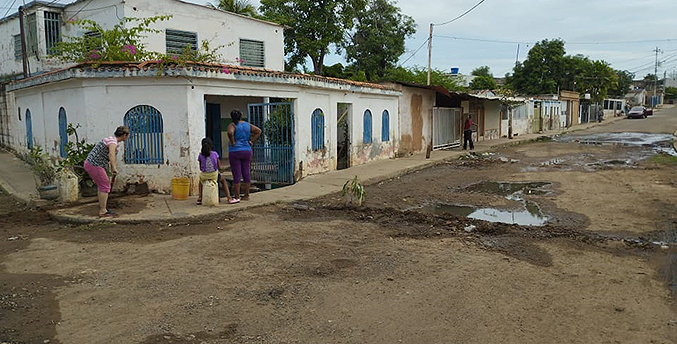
(218,27)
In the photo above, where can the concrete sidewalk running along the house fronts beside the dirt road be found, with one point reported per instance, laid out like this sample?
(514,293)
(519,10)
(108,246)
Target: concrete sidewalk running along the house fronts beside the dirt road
(155,207)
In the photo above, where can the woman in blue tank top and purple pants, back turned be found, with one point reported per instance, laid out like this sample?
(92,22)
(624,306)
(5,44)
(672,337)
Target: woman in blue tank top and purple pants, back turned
(242,136)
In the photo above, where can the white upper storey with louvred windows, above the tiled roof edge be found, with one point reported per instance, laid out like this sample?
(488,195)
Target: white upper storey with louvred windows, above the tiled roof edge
(256,42)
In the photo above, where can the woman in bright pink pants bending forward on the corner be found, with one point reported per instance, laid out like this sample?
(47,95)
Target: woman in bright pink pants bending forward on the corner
(101,157)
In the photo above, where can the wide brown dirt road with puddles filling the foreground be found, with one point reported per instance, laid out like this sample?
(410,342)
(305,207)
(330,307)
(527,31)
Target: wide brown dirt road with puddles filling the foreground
(572,240)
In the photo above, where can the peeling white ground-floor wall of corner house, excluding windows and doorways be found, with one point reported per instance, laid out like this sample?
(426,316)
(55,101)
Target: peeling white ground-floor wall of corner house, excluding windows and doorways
(100,103)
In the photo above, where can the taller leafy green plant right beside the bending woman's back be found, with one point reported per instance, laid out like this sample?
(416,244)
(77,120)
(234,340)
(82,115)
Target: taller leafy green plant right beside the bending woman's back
(76,154)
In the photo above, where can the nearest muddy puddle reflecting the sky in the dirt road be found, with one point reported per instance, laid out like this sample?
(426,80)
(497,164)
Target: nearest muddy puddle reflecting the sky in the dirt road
(528,215)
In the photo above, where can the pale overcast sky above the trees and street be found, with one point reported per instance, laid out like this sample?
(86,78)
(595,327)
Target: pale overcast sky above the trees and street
(590,27)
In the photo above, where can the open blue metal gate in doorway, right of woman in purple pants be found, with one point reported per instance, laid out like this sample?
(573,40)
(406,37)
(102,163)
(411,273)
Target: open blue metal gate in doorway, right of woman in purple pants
(273,153)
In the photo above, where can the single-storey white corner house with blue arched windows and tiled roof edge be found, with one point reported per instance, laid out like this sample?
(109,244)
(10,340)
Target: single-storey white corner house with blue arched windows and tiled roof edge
(169,115)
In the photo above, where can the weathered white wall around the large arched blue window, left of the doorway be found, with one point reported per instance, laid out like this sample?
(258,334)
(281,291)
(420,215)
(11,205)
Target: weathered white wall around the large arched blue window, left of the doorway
(99,106)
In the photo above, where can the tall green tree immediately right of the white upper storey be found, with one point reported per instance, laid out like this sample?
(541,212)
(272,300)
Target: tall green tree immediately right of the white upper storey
(312,28)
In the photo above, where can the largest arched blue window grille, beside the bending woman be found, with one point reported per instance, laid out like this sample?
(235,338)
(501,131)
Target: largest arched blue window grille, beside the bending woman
(144,145)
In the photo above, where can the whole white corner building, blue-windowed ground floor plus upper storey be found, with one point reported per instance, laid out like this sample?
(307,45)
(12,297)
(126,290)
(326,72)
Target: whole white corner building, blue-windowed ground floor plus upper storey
(310,124)
